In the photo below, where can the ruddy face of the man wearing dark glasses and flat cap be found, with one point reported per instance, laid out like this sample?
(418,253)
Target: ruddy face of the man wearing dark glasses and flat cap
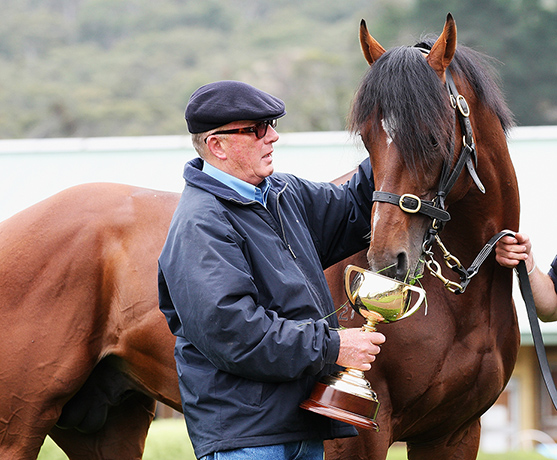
(248,158)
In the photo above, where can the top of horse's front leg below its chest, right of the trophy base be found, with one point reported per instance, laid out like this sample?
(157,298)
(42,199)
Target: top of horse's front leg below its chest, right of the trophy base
(465,447)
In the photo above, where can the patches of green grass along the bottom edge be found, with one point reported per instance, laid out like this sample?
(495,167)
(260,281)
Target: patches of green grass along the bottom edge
(168,440)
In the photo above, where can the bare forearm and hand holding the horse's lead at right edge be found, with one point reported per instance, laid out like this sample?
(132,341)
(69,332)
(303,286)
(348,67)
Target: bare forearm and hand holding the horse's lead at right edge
(510,251)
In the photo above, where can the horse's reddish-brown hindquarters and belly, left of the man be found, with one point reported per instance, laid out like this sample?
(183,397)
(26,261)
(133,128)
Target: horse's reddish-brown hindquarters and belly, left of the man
(85,351)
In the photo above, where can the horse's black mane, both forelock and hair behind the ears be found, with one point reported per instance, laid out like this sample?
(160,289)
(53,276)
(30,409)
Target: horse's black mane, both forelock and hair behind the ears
(402,93)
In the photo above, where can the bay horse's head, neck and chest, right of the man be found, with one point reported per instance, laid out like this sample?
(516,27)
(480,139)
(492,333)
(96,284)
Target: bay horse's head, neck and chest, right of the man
(437,373)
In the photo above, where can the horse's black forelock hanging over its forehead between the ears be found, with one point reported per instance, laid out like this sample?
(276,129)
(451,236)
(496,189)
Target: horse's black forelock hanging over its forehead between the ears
(402,94)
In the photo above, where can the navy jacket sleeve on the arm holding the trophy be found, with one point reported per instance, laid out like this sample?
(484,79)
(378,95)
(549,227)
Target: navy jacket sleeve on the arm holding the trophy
(209,297)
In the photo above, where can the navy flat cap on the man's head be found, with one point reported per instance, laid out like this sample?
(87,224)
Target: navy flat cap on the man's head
(223,102)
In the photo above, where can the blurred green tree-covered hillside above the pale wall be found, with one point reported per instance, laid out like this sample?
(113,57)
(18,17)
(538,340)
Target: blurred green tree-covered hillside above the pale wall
(127,67)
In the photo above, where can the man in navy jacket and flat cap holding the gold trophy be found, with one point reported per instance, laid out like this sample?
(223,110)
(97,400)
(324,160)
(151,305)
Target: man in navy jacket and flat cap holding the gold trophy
(242,286)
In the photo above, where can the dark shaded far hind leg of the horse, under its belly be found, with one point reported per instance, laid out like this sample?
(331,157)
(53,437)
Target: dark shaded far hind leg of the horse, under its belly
(122,437)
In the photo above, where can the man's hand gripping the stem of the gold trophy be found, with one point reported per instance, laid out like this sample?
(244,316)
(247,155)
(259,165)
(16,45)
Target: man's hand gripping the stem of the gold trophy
(358,348)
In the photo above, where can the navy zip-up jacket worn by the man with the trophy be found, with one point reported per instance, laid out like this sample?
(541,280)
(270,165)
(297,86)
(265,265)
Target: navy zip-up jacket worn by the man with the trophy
(243,290)
